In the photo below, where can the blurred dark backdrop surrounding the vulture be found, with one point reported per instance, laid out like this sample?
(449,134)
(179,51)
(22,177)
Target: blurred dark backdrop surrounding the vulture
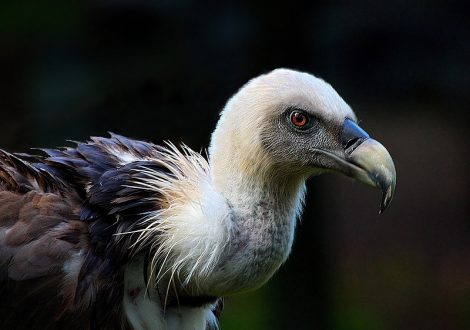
(163,70)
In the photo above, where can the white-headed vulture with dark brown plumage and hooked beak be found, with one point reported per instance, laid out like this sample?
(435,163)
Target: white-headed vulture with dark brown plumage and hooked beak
(116,233)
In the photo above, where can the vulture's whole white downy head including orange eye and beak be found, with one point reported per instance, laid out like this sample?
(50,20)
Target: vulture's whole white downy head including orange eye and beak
(288,125)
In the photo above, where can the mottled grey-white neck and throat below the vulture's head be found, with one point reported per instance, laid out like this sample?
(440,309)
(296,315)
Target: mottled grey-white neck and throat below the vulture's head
(263,218)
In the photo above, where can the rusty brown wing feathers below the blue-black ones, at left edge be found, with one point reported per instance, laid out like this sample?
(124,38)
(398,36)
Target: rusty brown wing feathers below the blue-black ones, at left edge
(36,292)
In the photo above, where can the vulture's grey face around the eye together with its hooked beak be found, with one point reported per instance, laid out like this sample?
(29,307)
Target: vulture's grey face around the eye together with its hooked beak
(319,146)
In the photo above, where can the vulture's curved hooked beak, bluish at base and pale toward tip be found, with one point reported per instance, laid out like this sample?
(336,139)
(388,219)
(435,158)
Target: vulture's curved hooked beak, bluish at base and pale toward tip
(369,161)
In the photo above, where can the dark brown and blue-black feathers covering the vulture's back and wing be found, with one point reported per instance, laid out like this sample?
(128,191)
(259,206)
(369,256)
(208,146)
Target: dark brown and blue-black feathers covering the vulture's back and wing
(61,265)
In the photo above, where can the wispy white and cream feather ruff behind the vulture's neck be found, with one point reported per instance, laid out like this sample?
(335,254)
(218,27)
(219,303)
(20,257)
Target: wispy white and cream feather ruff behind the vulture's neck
(185,241)
